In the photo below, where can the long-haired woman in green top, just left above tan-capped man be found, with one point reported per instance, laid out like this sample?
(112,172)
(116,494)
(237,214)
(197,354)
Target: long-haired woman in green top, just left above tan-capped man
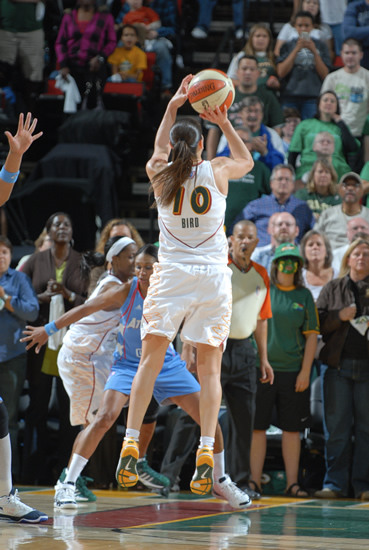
(320,192)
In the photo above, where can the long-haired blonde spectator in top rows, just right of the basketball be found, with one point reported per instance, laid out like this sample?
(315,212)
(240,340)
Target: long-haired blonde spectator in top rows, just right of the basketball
(260,45)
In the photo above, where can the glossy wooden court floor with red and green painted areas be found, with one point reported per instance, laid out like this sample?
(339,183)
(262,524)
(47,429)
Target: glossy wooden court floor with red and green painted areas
(132,520)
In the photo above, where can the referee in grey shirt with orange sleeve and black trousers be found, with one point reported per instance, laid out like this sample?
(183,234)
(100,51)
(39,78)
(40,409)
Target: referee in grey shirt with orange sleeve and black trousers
(250,292)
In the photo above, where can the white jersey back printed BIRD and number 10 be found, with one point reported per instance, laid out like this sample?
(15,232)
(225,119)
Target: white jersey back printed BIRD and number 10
(192,226)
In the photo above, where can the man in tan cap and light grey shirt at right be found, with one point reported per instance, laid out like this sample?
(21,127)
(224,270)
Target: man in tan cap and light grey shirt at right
(333,221)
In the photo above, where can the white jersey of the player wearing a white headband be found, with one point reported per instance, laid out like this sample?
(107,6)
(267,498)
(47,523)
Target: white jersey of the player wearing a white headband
(95,334)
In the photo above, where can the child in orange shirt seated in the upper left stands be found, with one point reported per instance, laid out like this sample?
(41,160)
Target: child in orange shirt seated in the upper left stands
(128,61)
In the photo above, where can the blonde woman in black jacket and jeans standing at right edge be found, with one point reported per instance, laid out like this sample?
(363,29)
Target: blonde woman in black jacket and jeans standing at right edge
(343,307)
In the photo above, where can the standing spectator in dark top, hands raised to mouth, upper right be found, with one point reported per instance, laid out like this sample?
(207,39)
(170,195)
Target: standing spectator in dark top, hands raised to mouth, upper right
(303,64)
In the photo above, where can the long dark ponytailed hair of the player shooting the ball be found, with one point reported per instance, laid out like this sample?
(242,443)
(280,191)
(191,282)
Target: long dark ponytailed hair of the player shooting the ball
(185,136)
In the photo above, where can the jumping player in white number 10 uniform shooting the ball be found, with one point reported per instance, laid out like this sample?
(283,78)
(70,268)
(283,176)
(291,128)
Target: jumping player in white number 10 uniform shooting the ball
(191,283)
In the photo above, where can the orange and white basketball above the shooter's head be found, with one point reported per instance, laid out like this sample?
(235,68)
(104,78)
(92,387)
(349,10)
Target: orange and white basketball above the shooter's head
(210,88)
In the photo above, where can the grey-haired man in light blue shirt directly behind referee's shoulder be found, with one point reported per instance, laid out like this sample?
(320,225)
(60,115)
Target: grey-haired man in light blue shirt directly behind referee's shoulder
(282,228)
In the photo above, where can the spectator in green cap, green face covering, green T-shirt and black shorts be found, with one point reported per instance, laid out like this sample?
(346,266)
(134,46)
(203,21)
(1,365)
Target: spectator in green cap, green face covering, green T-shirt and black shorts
(292,341)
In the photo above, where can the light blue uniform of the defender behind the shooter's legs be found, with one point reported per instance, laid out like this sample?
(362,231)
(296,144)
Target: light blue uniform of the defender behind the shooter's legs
(174,378)
